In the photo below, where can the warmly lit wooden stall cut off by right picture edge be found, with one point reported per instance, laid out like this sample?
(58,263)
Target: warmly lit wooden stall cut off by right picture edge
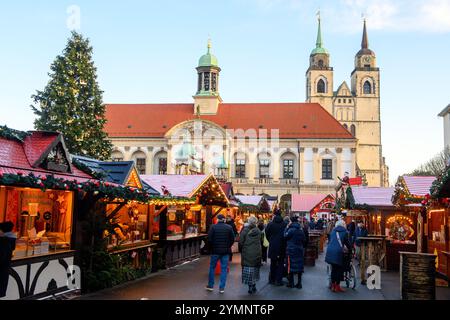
(437,224)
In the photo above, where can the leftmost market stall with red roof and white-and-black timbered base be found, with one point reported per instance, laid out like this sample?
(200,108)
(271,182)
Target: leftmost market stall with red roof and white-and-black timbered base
(38,193)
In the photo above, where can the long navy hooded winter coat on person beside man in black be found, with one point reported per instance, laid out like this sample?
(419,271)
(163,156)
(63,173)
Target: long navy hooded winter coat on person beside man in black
(296,240)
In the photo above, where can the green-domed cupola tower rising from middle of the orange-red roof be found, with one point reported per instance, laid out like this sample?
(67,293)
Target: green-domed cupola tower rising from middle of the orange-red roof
(207,98)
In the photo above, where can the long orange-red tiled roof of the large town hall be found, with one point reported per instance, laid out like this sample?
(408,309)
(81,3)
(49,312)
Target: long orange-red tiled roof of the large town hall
(294,120)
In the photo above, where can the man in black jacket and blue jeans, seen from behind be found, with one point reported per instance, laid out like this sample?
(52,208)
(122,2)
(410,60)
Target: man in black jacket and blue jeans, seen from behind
(220,239)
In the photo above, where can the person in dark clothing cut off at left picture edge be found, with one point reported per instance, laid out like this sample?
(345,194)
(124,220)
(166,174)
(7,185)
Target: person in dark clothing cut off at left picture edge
(7,247)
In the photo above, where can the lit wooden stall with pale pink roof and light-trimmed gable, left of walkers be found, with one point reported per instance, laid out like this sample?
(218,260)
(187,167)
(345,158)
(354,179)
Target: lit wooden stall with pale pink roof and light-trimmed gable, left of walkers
(181,229)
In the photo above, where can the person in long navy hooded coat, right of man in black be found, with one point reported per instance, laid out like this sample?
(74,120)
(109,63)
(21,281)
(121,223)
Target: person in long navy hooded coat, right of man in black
(295,238)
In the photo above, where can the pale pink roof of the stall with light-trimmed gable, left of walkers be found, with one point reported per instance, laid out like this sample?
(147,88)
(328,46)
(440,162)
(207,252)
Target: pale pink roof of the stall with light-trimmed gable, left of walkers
(177,185)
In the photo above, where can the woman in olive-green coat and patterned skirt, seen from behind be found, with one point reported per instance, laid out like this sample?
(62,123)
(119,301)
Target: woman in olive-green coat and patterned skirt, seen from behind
(251,254)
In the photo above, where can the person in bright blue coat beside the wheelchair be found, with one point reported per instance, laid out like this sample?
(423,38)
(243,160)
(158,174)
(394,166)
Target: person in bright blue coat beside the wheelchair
(338,247)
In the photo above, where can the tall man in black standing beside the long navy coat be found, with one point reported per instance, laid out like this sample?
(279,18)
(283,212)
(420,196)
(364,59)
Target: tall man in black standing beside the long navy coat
(277,248)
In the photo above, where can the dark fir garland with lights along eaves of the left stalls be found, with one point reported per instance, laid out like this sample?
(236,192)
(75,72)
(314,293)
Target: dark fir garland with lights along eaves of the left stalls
(108,190)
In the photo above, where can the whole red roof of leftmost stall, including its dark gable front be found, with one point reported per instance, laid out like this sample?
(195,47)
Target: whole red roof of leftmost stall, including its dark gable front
(29,155)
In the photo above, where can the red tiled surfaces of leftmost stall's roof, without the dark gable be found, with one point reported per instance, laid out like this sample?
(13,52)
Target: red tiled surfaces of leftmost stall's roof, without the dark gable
(17,157)
